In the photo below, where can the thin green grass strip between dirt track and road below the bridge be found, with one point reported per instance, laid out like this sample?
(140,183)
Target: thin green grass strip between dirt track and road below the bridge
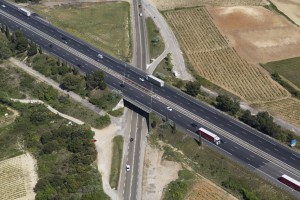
(116,161)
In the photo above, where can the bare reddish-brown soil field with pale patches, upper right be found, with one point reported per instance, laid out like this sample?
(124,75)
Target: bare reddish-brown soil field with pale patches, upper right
(258,34)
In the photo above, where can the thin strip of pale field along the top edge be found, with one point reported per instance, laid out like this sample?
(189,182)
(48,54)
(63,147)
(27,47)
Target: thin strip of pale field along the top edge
(171,4)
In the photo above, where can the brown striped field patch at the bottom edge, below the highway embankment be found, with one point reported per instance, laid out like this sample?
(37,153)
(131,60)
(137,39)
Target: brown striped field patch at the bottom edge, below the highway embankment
(204,189)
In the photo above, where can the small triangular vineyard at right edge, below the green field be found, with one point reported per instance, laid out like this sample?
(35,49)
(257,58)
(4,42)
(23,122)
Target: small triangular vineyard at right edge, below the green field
(287,109)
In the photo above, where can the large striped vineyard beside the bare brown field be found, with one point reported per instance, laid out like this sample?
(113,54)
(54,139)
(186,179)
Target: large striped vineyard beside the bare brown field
(212,57)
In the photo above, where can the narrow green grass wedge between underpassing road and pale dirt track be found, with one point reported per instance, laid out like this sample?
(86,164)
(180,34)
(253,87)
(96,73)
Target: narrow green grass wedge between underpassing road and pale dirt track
(155,40)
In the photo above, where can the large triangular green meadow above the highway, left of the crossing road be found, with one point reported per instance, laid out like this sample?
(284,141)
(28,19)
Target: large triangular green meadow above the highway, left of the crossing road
(104,25)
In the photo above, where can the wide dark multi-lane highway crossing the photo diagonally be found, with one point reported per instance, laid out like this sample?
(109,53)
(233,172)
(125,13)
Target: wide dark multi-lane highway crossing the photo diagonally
(242,143)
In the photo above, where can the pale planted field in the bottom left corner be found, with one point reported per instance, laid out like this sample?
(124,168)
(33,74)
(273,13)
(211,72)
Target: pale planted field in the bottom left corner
(17,178)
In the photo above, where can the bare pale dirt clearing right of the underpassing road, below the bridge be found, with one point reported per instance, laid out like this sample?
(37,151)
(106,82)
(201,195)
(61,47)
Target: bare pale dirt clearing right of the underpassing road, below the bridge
(157,173)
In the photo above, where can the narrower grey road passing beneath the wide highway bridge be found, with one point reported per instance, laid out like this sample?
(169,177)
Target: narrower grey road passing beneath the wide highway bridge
(132,187)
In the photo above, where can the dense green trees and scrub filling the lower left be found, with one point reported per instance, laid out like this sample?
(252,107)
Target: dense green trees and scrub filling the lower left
(65,152)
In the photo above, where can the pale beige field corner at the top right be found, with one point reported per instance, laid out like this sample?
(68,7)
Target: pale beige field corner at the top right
(290,8)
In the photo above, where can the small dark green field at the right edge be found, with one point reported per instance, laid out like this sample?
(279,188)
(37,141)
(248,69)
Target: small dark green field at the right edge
(289,69)
